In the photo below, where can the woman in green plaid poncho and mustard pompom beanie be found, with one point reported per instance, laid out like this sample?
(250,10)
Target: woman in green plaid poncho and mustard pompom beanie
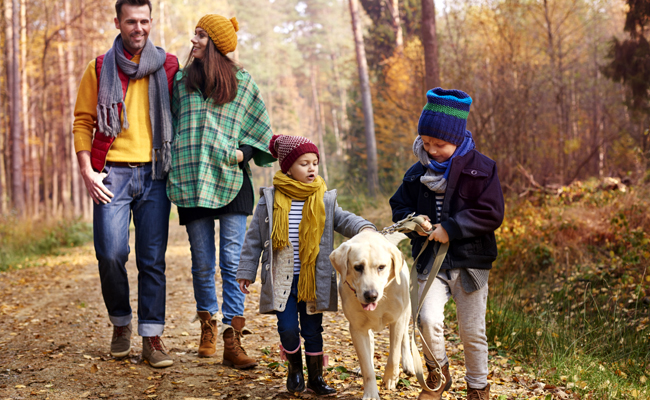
(220,124)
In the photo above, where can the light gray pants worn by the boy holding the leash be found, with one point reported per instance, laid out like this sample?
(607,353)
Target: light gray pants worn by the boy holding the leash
(470,311)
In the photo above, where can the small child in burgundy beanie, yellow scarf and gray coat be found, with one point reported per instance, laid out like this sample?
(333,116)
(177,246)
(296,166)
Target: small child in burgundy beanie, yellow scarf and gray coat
(292,229)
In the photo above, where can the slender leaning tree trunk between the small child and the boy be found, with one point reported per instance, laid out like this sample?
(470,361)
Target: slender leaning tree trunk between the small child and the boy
(366,100)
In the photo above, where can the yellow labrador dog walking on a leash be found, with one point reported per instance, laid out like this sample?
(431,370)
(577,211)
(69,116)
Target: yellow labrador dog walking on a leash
(374,289)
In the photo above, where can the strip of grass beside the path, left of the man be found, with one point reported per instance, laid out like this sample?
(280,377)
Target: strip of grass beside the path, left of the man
(22,242)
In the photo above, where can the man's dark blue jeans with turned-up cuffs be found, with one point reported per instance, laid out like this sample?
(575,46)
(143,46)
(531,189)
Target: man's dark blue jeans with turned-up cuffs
(137,195)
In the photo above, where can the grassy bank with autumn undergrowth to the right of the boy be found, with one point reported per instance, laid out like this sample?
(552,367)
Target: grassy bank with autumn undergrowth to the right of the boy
(570,291)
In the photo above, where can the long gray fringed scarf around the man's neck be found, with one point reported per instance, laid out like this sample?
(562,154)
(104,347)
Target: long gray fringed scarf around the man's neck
(110,95)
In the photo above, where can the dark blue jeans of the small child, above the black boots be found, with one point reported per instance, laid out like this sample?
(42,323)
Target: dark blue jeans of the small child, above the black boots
(289,329)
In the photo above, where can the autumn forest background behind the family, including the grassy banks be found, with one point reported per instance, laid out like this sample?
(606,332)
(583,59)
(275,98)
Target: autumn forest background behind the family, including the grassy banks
(560,102)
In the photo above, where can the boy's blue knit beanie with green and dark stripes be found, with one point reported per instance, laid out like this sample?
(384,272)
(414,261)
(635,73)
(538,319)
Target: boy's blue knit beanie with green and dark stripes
(445,115)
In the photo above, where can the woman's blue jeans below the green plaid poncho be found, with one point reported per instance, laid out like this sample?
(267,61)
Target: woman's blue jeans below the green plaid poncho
(232,230)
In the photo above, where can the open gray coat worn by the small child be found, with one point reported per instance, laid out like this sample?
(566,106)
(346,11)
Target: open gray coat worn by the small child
(277,266)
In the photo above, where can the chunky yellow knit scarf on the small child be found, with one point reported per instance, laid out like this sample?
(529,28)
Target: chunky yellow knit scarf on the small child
(310,229)
